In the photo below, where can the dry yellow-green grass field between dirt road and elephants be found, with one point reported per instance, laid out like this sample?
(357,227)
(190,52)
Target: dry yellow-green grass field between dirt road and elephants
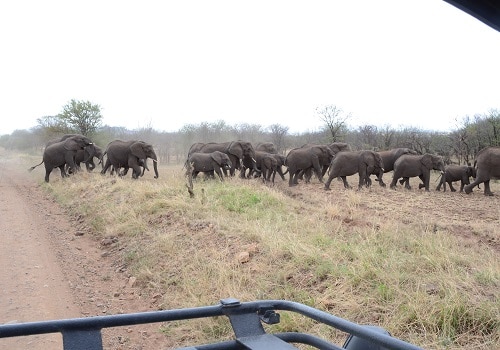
(425,266)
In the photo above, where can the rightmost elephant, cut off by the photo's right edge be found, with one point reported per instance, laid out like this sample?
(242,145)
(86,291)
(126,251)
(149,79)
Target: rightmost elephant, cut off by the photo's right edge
(487,164)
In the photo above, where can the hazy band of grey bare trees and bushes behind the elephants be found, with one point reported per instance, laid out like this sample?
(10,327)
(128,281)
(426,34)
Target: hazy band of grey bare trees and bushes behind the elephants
(457,146)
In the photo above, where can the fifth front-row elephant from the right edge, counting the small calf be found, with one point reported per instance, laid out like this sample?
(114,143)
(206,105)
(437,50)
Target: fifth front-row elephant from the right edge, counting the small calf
(298,160)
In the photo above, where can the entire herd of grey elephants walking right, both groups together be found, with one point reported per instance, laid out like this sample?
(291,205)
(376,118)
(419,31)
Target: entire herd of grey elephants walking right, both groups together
(263,160)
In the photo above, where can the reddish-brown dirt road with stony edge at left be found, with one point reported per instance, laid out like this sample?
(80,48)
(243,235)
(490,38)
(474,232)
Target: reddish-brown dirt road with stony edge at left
(51,268)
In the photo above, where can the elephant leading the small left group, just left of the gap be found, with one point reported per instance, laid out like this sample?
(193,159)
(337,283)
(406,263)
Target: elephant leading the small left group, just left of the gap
(129,154)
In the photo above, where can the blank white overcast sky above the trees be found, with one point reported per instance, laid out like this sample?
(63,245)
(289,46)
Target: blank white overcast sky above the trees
(165,64)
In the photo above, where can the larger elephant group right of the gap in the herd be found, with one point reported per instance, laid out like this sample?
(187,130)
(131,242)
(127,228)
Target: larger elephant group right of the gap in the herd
(339,161)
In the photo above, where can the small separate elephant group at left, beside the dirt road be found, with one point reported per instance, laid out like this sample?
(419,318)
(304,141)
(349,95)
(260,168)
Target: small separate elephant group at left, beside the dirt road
(70,150)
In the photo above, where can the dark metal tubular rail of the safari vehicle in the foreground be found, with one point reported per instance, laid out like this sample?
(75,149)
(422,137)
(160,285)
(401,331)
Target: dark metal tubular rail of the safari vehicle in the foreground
(246,319)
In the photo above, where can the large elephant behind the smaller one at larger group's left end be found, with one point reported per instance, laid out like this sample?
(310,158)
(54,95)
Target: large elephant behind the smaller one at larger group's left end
(238,151)
